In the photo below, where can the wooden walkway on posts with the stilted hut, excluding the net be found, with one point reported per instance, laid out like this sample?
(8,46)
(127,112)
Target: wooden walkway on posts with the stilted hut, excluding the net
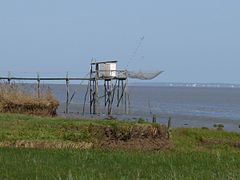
(114,83)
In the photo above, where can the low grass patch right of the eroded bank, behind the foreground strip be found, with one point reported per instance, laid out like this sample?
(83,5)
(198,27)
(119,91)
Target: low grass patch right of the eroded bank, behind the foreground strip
(190,139)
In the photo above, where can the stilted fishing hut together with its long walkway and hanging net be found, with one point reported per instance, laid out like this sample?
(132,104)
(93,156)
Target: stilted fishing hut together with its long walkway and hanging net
(107,87)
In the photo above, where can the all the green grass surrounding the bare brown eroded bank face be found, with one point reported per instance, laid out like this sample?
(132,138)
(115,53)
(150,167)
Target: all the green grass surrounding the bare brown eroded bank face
(195,153)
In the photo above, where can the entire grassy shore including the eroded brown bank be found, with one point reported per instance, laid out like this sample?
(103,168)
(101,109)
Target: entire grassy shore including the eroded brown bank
(58,148)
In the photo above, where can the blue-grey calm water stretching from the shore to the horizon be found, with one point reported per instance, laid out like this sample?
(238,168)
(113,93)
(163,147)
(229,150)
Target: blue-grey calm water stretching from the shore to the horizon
(188,106)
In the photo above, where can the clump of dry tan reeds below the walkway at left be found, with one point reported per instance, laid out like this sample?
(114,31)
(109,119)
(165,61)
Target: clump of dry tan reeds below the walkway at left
(15,100)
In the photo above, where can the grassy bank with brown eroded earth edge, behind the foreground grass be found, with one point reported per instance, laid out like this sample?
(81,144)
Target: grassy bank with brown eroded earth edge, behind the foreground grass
(32,131)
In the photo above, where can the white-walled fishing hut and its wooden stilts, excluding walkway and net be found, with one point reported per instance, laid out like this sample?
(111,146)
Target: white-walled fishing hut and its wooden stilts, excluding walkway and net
(114,87)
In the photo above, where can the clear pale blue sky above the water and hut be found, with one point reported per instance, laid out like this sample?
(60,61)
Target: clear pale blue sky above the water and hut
(192,41)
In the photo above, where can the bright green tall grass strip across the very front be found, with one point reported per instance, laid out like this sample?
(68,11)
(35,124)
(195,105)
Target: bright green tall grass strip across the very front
(64,164)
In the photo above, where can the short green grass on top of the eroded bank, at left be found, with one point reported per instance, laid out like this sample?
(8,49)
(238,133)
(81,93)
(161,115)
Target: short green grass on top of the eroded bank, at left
(15,127)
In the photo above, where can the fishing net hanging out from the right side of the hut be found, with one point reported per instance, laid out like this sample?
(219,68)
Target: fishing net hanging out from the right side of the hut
(143,75)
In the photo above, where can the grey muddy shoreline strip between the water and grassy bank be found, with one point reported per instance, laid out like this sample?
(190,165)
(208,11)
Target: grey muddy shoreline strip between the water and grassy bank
(178,121)
